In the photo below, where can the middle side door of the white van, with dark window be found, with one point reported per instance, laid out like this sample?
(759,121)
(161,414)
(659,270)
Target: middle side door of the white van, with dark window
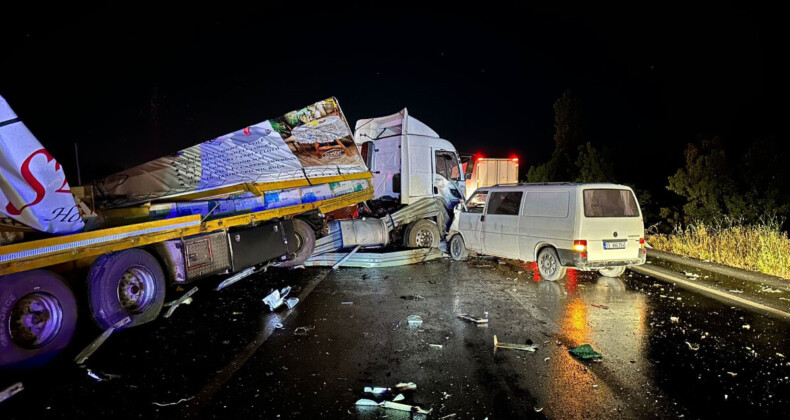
(501,226)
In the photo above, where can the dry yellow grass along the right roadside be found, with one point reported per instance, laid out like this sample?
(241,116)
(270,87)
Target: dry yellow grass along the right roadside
(761,247)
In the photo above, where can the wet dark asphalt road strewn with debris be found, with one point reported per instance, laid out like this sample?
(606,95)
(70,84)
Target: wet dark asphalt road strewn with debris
(667,353)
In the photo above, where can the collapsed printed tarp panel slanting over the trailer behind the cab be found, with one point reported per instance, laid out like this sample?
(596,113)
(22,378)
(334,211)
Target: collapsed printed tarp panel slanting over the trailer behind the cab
(307,144)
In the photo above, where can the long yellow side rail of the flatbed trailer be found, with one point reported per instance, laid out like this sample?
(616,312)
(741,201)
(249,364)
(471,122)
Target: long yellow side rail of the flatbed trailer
(52,251)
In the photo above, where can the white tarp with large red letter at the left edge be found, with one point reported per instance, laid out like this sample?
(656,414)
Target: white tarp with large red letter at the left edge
(33,187)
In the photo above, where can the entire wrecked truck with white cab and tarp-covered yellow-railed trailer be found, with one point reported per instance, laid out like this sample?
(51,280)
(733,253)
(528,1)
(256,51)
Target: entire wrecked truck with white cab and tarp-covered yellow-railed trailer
(277,192)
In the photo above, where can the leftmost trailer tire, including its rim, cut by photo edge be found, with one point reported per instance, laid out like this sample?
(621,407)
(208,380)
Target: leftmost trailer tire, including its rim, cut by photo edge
(38,315)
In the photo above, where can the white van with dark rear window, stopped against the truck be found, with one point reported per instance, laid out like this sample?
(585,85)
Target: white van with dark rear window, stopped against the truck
(558,225)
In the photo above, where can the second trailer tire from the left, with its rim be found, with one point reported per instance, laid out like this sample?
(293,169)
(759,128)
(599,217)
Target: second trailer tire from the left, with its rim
(126,283)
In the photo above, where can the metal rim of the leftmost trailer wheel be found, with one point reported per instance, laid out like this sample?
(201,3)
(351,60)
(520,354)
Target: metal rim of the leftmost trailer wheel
(35,320)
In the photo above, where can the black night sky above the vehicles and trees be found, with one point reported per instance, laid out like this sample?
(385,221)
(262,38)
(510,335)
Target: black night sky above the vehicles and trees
(129,84)
